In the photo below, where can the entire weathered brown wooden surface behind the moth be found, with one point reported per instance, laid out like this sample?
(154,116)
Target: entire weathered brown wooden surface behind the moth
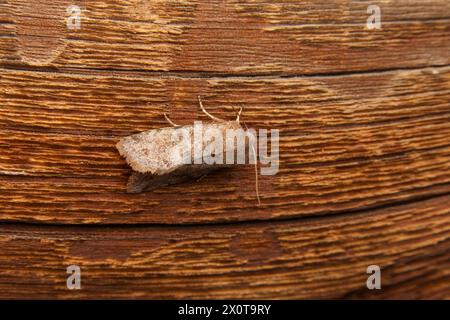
(364,120)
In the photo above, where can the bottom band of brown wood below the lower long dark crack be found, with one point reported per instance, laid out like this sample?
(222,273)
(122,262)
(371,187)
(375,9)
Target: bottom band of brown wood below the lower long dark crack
(318,258)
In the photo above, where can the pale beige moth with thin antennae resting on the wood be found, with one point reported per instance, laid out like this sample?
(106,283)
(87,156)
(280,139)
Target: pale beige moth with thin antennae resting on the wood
(159,157)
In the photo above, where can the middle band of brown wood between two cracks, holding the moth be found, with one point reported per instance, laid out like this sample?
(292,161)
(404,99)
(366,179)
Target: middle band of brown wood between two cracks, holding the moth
(342,147)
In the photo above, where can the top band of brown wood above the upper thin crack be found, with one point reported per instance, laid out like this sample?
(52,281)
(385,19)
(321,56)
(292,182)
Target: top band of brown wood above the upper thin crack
(252,37)
